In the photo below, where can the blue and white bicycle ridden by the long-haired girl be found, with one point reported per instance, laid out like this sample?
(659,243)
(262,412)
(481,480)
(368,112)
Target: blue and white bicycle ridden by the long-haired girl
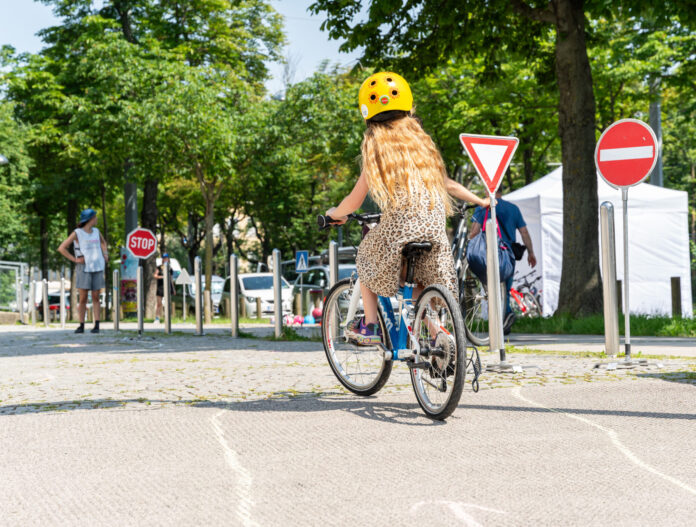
(437,365)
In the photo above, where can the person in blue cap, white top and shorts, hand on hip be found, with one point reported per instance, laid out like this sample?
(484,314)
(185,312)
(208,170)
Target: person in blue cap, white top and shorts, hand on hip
(90,256)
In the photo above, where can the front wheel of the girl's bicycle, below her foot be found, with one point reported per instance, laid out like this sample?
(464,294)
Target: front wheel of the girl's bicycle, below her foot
(362,370)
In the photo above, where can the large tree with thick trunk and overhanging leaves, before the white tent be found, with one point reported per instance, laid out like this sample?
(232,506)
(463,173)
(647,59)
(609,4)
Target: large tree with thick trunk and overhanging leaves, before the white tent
(418,36)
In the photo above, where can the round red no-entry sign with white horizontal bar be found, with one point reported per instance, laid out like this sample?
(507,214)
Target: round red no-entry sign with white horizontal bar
(626,153)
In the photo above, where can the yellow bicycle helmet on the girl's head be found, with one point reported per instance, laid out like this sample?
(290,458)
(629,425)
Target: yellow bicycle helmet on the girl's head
(383,92)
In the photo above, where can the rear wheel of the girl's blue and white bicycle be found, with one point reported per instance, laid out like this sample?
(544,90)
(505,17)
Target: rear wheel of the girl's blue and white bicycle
(438,376)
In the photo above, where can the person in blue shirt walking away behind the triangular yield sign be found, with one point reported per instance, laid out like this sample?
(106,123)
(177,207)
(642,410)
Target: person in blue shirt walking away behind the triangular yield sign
(510,220)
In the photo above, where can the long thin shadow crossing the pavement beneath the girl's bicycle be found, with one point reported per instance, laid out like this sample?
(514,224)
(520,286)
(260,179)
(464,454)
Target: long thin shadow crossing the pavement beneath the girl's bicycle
(307,402)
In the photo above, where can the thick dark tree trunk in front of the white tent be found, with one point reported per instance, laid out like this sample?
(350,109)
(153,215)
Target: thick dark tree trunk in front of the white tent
(580,291)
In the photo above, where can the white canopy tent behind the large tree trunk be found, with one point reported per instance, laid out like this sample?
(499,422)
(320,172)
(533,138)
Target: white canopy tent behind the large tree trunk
(658,237)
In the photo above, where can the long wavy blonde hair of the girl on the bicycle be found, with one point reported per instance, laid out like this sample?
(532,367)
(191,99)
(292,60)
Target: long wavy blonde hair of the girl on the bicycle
(399,155)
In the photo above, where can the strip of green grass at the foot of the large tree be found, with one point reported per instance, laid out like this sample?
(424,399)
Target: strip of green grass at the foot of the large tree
(641,326)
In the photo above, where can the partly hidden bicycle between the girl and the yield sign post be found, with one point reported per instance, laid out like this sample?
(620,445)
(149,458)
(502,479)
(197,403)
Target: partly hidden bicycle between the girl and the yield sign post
(473,295)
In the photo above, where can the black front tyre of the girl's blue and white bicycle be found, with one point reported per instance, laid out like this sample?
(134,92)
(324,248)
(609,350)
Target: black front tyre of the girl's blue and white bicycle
(330,348)
